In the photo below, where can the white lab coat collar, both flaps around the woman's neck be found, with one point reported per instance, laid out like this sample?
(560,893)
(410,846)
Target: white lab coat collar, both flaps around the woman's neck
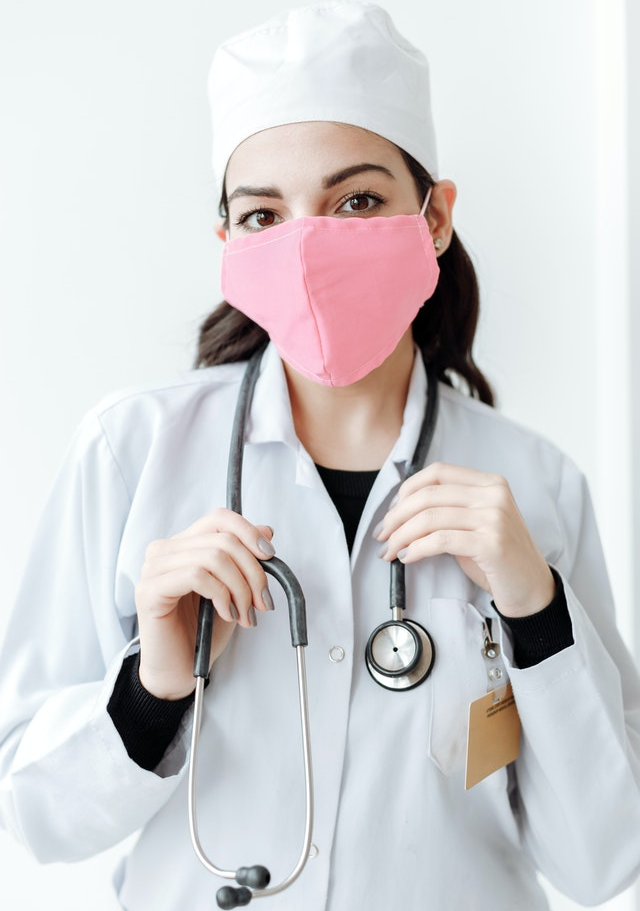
(271,419)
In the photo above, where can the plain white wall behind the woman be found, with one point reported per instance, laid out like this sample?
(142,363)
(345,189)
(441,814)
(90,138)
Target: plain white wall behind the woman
(108,259)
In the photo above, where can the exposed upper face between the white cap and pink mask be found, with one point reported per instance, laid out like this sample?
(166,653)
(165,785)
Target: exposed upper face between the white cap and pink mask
(315,168)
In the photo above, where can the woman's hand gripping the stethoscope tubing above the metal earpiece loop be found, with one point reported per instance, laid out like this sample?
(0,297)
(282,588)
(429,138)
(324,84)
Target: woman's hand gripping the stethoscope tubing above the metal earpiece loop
(217,557)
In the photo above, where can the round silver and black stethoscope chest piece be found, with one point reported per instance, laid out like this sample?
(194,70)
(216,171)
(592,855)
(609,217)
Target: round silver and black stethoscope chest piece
(399,653)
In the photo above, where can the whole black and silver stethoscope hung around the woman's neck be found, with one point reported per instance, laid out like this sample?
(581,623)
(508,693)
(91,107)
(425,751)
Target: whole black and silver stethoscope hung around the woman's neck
(399,654)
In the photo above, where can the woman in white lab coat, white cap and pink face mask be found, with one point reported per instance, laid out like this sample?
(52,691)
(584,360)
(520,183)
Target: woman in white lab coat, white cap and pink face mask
(325,156)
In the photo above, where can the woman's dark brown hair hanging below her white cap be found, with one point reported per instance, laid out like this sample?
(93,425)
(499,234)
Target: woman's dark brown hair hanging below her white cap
(444,330)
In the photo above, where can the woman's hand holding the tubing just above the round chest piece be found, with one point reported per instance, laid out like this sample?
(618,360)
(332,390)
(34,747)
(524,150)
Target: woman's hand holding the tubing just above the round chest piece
(447,509)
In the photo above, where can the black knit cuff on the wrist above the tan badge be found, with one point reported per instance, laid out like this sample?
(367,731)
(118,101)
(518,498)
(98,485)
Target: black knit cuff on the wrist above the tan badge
(542,634)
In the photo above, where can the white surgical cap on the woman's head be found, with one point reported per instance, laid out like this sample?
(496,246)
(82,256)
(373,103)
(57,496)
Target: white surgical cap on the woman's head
(342,62)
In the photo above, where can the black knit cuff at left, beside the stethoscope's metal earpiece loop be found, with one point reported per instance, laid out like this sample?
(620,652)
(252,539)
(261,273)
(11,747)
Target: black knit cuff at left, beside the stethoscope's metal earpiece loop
(146,724)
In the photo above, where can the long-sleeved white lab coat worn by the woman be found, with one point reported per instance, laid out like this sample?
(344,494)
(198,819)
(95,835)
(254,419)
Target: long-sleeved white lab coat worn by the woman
(394,826)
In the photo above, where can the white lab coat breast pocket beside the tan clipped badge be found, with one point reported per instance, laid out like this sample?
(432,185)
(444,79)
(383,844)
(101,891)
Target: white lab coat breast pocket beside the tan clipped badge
(458,677)
